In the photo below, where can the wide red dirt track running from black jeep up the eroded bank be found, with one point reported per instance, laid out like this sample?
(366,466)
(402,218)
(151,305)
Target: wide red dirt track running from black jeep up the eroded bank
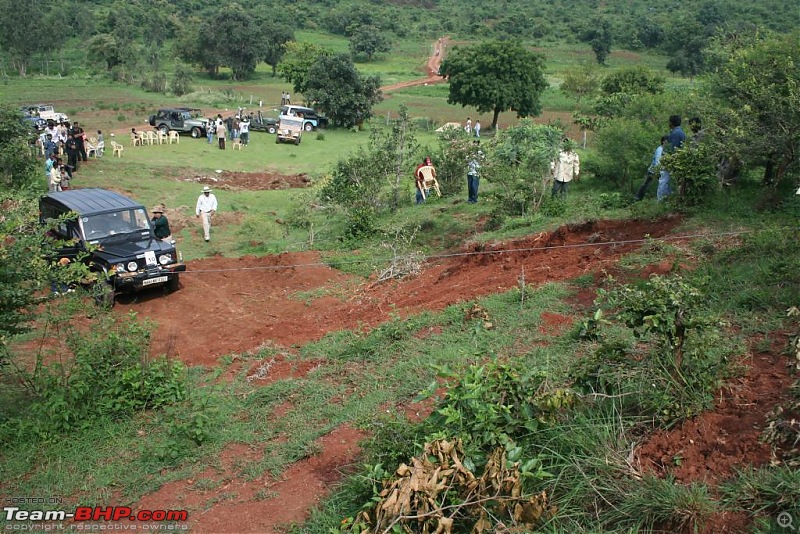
(235,305)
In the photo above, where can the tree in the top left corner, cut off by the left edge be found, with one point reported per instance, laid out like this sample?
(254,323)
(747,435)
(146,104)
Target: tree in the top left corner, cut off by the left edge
(22,33)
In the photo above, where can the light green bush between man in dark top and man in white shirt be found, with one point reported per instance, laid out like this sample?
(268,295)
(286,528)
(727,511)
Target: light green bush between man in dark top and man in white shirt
(518,163)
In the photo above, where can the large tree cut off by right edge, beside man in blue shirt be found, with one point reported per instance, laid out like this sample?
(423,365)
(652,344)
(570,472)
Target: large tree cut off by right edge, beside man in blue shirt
(756,81)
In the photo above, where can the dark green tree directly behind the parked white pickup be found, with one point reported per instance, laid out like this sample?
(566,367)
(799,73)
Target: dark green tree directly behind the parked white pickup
(340,91)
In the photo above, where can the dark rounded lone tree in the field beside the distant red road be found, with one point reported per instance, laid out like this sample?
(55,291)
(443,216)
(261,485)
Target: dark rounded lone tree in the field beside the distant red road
(495,77)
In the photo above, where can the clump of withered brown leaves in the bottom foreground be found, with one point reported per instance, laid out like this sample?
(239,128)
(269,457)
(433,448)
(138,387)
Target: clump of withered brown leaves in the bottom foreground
(416,498)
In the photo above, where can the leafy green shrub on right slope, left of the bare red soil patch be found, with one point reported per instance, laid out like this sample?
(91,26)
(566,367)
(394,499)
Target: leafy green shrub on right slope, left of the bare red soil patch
(676,375)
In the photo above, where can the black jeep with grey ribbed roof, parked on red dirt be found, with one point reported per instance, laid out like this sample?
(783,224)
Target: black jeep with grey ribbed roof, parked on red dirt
(114,236)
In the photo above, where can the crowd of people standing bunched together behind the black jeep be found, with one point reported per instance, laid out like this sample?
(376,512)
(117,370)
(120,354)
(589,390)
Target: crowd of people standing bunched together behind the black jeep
(60,139)
